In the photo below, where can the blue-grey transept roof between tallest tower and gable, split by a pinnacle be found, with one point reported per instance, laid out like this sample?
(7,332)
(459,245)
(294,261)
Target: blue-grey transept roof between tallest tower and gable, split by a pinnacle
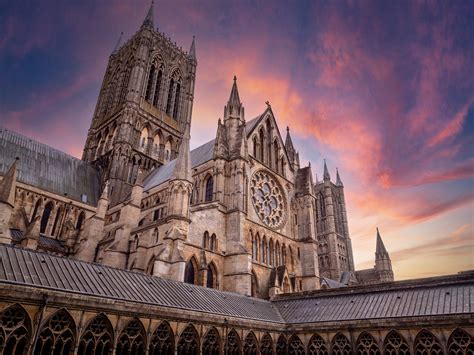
(199,156)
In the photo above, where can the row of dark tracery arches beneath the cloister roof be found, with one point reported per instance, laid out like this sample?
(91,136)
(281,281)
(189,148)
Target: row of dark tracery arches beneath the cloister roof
(64,331)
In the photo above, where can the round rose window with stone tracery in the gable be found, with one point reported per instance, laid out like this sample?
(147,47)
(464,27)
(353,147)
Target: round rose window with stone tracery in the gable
(267,198)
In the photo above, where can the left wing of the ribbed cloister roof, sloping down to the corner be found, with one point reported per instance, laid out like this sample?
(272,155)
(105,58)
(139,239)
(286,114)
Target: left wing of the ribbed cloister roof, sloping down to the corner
(33,268)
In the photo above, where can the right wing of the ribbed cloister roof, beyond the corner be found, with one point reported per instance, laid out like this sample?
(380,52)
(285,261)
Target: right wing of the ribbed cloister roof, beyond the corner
(388,301)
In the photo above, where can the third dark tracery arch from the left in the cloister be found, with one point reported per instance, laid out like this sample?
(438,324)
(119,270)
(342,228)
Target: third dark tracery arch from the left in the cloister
(97,338)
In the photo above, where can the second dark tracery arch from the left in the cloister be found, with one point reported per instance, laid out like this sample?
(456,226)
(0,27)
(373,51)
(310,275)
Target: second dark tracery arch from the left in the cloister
(57,335)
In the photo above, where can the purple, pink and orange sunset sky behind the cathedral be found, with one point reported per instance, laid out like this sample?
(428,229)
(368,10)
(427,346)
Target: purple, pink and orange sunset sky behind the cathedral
(383,90)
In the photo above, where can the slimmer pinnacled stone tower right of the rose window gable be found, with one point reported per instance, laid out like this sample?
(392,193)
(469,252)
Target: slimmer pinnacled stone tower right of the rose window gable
(335,247)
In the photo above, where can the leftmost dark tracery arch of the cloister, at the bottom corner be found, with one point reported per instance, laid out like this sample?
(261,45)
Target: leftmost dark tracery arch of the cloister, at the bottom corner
(15,330)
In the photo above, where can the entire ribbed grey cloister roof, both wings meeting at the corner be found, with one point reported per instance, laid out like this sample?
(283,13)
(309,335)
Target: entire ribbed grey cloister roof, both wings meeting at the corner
(442,296)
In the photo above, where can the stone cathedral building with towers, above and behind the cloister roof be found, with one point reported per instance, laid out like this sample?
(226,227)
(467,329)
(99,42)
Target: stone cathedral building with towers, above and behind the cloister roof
(238,213)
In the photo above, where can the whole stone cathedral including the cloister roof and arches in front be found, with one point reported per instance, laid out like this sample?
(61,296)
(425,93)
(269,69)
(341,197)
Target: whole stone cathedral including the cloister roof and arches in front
(147,247)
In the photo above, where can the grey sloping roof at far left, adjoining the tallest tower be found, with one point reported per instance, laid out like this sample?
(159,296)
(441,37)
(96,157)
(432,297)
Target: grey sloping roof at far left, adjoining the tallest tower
(47,168)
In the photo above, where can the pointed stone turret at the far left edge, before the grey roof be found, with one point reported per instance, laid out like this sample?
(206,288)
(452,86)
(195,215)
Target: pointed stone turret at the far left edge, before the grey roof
(7,201)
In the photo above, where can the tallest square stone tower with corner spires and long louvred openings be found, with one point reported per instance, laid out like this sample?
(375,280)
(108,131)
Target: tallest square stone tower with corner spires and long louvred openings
(143,108)
